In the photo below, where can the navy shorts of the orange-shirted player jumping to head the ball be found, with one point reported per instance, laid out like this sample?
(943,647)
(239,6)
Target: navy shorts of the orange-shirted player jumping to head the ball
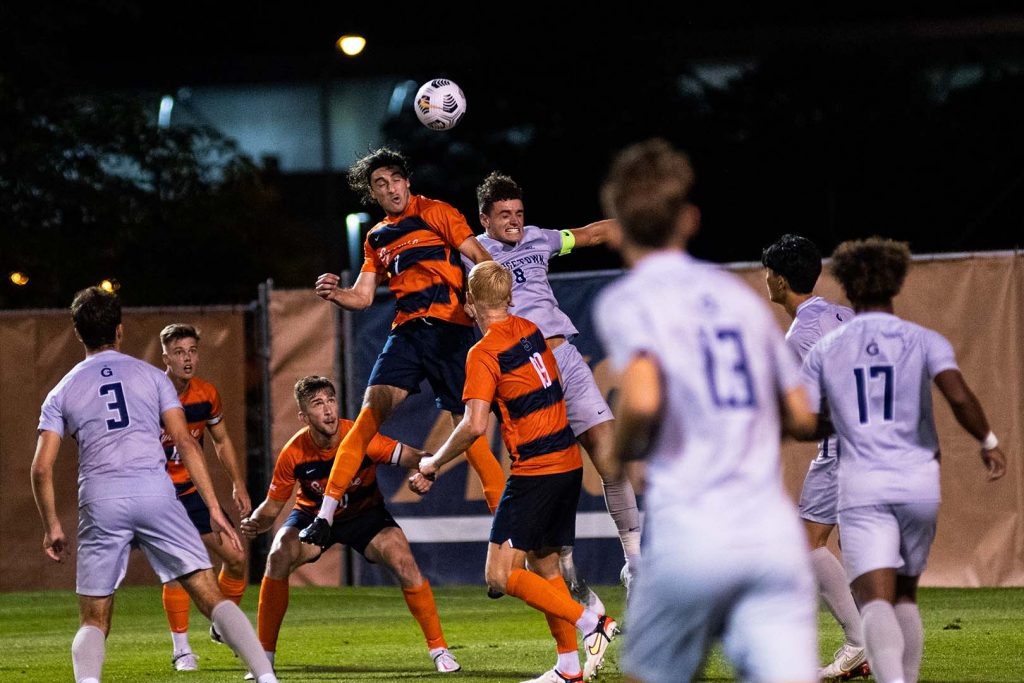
(426,349)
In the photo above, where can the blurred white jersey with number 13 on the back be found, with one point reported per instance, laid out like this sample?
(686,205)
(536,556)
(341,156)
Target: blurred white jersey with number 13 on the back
(715,461)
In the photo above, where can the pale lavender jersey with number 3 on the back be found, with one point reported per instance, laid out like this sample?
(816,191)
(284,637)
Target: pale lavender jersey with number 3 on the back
(111,404)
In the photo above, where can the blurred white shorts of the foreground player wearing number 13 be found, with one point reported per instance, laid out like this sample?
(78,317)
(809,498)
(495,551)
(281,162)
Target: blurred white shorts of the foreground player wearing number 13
(760,602)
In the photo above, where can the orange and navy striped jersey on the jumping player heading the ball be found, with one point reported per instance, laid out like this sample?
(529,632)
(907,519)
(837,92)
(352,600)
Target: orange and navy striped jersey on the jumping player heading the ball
(419,253)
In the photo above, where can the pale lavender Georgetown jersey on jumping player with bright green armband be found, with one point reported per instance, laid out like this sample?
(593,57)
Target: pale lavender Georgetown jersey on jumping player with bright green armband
(532,295)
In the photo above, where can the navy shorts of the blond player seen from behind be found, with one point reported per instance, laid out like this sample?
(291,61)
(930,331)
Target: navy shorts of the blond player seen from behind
(539,511)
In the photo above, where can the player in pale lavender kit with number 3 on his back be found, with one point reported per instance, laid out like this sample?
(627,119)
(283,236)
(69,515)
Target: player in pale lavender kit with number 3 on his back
(113,406)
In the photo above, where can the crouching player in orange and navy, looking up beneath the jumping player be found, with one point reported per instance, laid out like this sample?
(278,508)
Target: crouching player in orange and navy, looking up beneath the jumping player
(363,524)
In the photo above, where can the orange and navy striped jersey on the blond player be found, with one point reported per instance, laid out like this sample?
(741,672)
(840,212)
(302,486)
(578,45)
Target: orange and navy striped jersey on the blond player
(513,363)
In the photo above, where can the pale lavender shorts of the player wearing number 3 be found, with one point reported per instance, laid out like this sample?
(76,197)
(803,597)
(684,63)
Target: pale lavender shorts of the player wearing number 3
(109,529)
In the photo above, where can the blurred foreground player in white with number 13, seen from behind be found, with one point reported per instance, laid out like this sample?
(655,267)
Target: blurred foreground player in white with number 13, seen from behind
(706,380)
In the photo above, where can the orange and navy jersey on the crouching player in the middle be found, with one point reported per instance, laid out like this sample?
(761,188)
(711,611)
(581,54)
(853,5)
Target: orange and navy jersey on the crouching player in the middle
(303,462)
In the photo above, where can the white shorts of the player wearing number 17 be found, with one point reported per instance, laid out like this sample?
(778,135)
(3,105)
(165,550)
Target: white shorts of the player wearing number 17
(890,536)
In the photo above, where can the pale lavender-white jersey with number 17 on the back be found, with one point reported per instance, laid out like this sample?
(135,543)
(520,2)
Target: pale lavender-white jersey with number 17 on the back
(876,373)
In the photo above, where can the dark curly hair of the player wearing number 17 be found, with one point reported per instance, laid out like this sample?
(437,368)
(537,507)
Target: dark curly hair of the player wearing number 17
(872,272)
